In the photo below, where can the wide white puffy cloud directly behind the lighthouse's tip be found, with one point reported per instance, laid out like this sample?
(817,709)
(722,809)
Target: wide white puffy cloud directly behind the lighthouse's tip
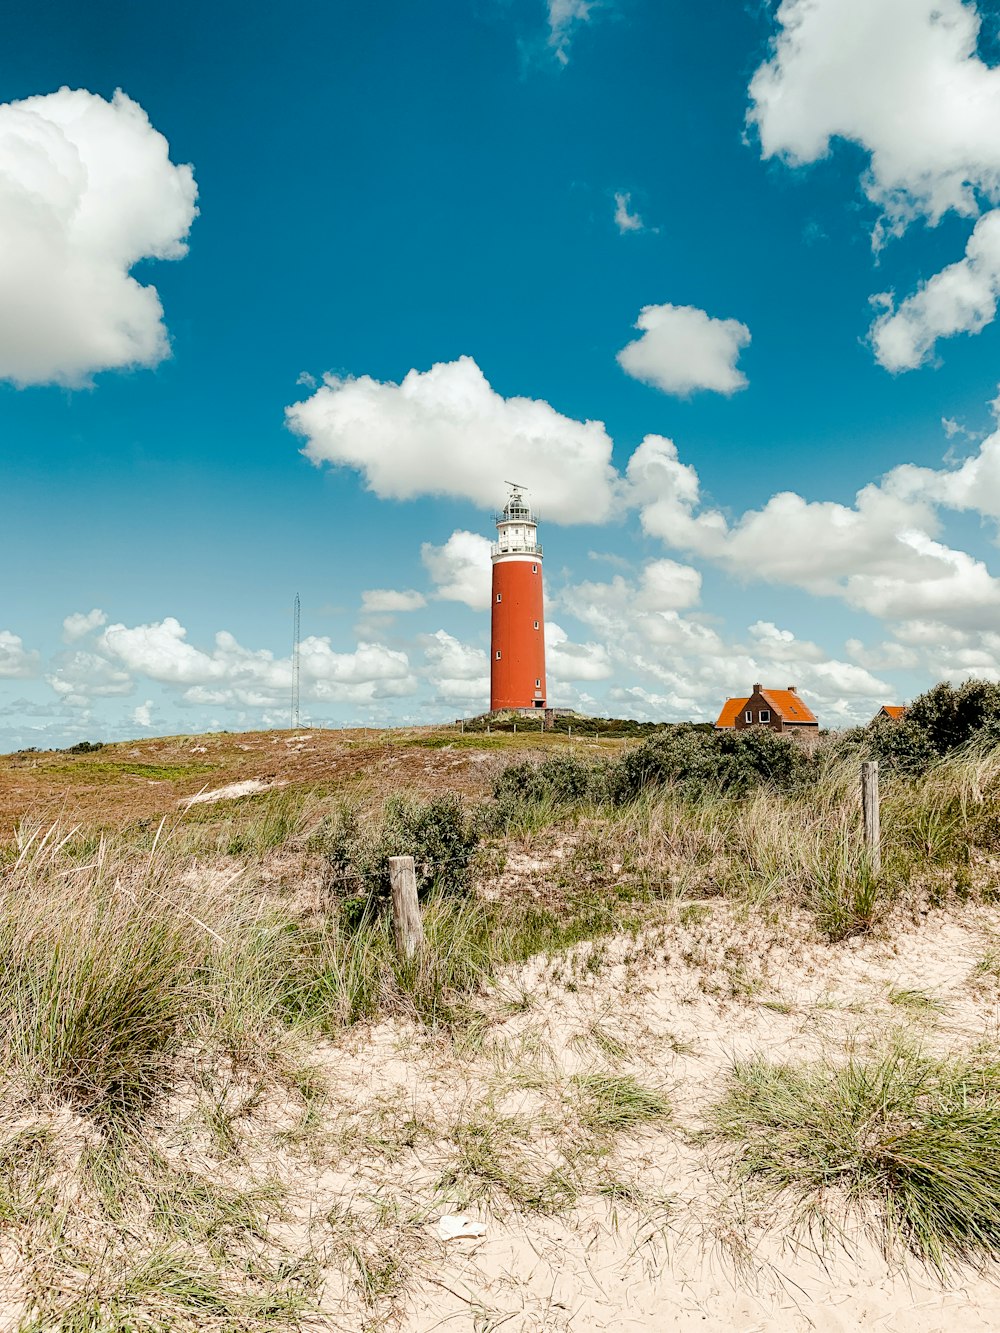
(447,433)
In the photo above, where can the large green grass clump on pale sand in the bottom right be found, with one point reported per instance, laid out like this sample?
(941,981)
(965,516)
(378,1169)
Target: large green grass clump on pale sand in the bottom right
(915,1136)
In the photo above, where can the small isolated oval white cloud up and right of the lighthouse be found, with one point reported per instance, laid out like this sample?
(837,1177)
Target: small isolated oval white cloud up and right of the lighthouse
(685,350)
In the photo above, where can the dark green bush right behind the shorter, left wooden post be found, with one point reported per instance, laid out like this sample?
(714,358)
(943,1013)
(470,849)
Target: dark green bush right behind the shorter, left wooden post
(437,834)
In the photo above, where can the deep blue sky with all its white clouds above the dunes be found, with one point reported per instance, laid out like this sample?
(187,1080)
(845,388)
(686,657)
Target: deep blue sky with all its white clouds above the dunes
(459,221)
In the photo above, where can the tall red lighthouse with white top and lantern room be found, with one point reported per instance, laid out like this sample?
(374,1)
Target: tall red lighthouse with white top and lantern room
(518,641)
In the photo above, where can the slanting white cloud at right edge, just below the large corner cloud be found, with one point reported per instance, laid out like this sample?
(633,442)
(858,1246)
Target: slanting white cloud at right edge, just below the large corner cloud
(961,299)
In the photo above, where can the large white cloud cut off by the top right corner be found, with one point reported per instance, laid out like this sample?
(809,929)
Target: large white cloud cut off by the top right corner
(902,79)
